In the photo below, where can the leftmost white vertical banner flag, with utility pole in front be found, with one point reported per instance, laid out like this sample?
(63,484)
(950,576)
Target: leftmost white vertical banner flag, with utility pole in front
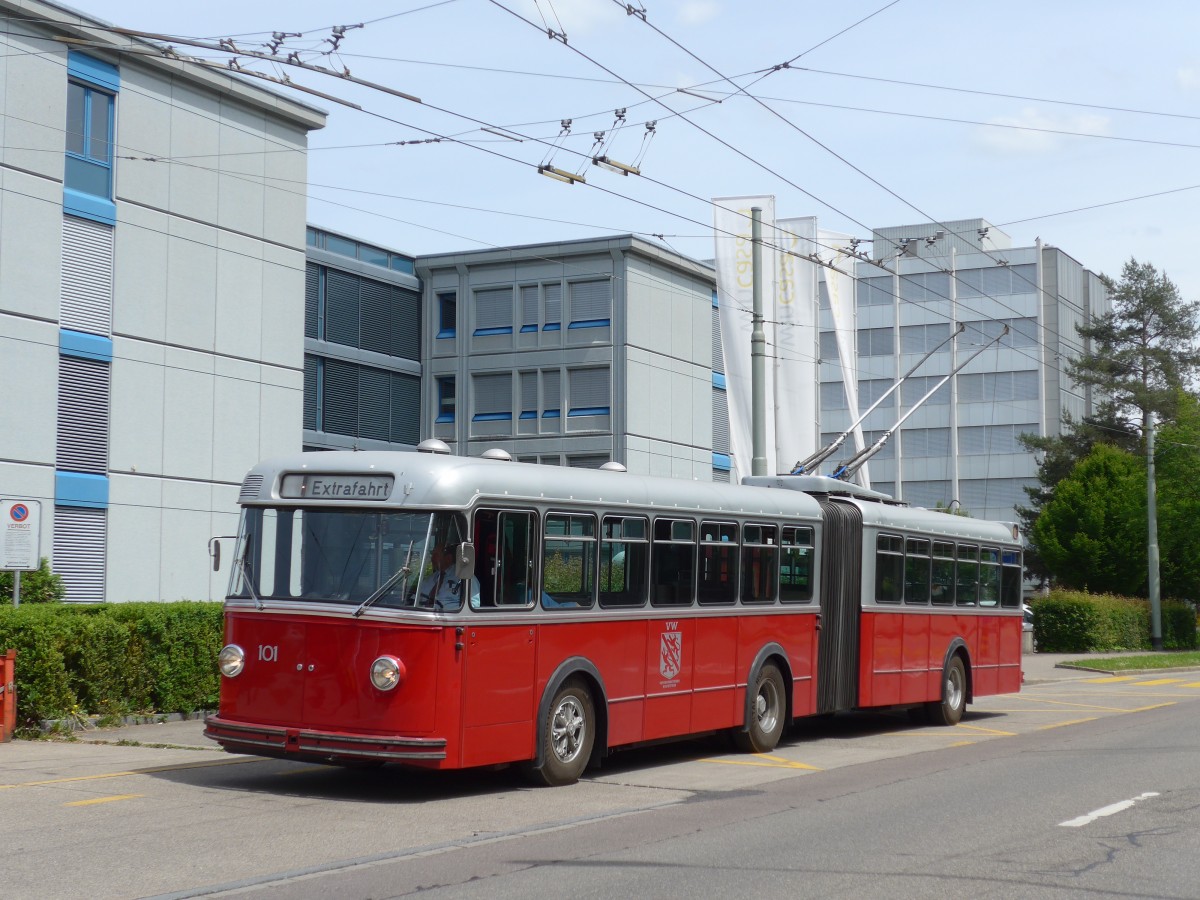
(735,299)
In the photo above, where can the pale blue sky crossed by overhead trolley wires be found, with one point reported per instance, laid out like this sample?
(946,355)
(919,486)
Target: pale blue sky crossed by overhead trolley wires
(1076,122)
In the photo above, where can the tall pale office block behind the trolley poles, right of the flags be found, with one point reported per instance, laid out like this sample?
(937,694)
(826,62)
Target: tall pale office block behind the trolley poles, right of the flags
(961,448)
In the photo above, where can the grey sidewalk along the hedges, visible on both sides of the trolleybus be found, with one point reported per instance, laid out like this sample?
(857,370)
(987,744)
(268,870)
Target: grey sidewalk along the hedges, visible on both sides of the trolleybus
(189,734)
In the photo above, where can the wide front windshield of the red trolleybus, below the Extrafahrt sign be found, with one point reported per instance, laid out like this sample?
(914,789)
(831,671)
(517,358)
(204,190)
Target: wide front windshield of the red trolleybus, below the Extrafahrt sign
(345,556)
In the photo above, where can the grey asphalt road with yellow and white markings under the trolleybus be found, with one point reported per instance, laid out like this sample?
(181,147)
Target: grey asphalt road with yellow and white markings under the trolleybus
(863,806)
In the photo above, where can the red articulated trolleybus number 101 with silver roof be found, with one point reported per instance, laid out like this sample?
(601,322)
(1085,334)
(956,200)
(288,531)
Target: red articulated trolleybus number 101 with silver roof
(447,613)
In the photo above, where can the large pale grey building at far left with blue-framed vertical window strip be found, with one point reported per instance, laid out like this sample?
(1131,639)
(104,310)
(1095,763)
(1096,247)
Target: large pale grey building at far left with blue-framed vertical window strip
(152,267)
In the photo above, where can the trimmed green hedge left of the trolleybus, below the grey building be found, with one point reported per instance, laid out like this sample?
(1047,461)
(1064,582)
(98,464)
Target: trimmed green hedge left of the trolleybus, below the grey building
(112,659)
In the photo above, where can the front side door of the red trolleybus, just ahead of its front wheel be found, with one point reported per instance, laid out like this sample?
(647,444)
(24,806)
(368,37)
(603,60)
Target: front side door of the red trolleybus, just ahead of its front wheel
(499,687)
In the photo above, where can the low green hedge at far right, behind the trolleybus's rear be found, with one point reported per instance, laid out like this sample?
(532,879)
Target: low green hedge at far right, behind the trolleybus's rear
(1075,622)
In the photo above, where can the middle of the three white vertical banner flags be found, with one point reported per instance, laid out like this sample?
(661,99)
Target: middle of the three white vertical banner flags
(796,352)
